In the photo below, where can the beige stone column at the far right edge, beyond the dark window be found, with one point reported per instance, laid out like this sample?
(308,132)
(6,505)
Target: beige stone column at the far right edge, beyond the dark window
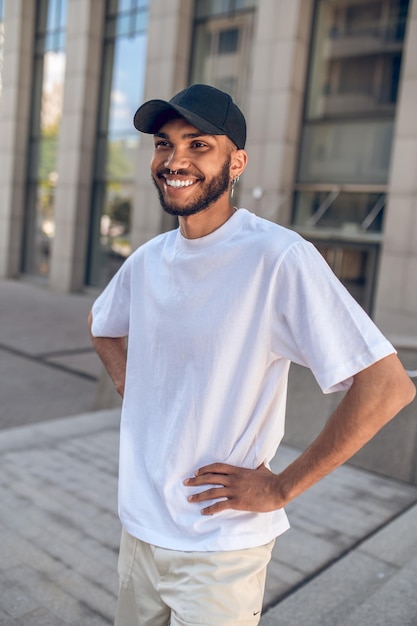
(396,302)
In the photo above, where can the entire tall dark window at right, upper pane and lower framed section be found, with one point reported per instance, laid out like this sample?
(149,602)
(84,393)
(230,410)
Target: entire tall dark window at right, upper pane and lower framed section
(347,134)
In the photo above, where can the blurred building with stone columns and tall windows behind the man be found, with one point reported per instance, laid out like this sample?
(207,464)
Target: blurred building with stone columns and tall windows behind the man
(329,90)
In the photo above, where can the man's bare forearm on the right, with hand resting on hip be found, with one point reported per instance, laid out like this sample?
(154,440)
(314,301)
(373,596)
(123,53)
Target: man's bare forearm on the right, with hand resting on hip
(376,396)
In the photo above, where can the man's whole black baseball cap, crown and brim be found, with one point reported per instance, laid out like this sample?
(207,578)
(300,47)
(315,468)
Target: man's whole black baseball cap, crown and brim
(205,107)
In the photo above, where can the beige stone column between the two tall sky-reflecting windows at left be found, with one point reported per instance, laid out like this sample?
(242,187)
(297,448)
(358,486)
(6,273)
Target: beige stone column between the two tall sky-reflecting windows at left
(76,144)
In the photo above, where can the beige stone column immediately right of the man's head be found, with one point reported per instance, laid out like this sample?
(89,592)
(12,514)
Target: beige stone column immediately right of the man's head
(280,58)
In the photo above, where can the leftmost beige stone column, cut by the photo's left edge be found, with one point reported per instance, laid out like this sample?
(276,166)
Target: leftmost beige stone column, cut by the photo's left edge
(19,24)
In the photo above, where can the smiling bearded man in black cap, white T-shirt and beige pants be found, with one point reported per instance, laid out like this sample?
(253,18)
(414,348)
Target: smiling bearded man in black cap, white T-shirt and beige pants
(215,311)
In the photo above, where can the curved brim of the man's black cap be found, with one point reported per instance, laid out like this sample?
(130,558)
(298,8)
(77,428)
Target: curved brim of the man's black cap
(152,115)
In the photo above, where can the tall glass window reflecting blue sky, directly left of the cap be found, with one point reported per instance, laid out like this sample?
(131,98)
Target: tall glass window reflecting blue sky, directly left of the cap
(123,76)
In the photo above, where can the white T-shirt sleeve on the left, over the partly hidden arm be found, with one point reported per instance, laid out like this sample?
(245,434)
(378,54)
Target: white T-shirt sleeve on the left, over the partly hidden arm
(112,308)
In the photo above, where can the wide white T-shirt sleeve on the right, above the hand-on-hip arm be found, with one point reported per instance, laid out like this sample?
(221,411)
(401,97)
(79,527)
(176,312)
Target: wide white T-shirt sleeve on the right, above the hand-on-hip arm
(318,324)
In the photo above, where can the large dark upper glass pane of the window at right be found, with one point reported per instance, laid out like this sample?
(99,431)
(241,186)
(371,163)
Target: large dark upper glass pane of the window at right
(352,91)
